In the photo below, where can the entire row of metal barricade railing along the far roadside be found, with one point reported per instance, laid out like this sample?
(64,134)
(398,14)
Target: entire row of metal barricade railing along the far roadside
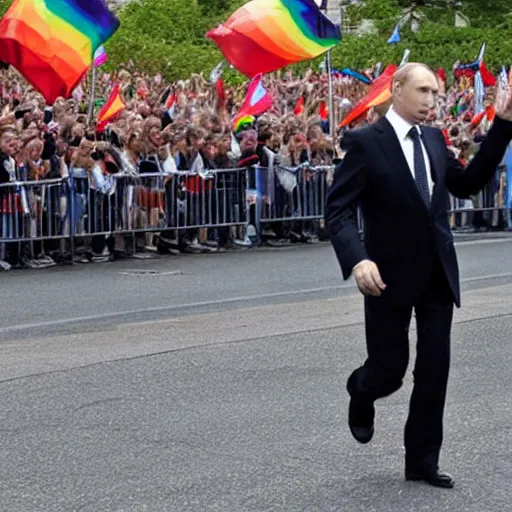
(77,208)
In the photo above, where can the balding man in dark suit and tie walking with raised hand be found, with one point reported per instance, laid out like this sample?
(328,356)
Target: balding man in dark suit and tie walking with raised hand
(400,174)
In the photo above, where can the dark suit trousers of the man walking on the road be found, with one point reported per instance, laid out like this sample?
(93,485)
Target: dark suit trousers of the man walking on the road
(387,337)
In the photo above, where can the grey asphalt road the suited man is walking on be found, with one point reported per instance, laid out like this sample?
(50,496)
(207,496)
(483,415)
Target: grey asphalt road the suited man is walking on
(216,383)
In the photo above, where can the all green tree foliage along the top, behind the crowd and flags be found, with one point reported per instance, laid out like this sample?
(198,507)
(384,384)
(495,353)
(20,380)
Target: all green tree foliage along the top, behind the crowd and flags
(168,36)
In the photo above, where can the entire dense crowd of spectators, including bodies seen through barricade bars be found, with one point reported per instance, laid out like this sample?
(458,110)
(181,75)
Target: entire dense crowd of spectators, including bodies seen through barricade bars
(169,128)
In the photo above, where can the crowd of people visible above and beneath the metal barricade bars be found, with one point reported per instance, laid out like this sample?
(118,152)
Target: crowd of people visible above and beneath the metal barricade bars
(192,133)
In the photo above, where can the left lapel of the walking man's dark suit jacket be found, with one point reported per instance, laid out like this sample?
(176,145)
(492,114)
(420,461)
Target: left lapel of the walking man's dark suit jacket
(392,151)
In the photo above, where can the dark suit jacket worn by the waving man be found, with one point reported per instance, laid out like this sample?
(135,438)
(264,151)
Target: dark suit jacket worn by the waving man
(401,234)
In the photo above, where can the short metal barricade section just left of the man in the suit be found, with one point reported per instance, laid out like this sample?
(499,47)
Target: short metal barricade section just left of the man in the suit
(288,194)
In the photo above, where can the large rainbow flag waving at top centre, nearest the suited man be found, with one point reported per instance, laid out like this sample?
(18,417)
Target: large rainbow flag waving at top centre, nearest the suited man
(267,35)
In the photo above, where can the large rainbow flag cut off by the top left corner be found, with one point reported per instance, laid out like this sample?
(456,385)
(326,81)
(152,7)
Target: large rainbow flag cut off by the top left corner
(52,42)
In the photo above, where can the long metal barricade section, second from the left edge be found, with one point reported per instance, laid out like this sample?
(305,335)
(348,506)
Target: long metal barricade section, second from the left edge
(155,202)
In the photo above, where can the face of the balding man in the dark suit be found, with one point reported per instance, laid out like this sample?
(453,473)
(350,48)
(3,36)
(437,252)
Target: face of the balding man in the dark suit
(415,98)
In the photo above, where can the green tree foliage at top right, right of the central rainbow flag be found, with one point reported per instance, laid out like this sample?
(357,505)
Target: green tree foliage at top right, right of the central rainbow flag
(439,42)
